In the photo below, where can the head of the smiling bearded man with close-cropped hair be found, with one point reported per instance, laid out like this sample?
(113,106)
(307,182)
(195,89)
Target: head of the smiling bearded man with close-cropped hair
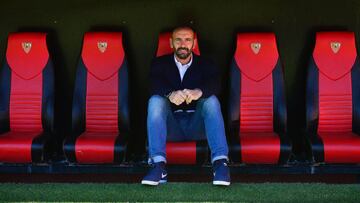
(183,42)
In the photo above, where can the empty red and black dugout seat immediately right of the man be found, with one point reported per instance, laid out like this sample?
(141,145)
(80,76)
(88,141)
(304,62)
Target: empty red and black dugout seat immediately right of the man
(257,113)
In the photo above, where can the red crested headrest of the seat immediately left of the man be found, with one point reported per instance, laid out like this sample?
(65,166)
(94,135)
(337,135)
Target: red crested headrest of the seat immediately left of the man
(103,53)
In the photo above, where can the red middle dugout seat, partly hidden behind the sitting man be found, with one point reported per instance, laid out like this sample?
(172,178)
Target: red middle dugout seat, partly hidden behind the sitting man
(187,153)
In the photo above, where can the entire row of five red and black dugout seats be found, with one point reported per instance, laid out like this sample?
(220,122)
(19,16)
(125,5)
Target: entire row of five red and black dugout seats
(257,108)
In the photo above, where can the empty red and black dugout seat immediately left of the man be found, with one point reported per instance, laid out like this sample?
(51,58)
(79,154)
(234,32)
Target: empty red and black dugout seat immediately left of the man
(100,112)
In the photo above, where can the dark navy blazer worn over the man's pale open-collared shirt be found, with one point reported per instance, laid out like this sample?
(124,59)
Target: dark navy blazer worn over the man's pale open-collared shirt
(165,78)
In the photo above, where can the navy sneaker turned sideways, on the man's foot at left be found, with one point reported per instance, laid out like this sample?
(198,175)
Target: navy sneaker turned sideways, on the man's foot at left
(156,175)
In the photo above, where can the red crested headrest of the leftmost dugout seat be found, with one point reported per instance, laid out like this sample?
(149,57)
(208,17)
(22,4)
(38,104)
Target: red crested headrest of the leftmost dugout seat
(27,54)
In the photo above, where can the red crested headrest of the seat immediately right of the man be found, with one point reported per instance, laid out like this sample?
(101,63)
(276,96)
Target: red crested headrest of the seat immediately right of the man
(256,54)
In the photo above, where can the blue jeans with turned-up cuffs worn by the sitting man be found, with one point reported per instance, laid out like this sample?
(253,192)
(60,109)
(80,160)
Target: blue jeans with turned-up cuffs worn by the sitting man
(205,122)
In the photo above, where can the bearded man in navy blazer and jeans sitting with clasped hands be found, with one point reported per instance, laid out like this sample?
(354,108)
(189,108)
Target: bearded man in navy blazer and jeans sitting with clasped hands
(183,107)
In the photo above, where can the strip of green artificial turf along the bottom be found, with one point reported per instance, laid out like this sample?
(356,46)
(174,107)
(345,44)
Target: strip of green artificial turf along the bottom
(265,192)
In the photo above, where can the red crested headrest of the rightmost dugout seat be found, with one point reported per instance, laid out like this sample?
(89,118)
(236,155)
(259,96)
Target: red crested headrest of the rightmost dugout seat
(335,53)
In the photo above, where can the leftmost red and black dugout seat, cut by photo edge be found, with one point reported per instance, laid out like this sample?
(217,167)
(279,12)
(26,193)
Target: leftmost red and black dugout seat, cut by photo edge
(26,99)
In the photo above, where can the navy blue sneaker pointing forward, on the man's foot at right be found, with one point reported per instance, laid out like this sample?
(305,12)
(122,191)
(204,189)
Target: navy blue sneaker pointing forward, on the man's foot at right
(221,173)
